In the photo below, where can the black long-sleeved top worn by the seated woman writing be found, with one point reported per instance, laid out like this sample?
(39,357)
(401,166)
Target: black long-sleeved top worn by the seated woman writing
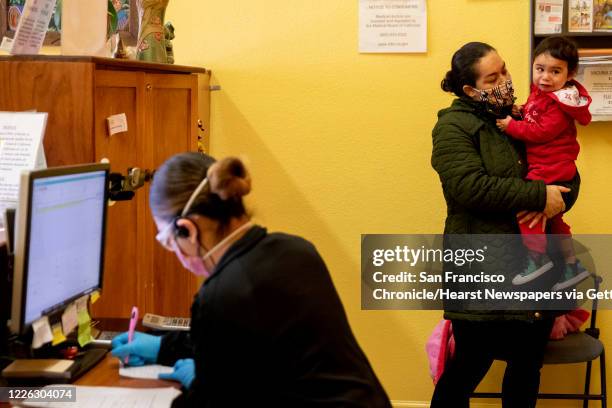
(268,329)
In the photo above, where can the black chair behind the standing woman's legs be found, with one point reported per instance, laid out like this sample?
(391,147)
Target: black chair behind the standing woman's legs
(581,347)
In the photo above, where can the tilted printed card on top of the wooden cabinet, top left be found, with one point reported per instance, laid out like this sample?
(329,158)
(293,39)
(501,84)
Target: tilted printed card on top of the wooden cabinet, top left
(33,25)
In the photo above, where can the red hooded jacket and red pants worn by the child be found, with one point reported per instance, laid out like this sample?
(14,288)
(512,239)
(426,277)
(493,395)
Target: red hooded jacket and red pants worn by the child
(549,133)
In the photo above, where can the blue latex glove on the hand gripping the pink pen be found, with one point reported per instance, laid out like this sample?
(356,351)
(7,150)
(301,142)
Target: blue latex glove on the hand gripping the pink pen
(143,349)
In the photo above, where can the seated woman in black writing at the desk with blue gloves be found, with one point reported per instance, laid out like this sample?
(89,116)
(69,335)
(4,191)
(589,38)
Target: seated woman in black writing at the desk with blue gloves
(267,325)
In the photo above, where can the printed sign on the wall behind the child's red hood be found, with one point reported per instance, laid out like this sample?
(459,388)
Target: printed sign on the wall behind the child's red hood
(597,79)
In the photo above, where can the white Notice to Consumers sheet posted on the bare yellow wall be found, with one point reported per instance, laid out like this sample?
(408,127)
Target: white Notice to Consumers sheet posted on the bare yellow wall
(392,26)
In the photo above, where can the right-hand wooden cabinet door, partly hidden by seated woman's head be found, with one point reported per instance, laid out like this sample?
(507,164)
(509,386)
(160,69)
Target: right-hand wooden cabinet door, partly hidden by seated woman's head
(171,126)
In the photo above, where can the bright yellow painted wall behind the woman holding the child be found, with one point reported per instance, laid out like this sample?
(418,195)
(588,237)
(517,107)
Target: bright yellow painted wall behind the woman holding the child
(339,142)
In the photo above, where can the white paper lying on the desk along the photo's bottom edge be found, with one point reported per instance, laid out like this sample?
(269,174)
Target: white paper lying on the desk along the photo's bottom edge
(115,397)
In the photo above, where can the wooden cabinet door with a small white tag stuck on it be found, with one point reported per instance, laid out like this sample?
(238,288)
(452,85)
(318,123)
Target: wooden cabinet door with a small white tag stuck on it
(125,279)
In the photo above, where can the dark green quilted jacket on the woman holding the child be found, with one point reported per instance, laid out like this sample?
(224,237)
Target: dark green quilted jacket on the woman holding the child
(482,172)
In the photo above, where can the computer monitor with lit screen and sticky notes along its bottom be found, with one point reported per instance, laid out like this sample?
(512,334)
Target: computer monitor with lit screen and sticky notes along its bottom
(59,240)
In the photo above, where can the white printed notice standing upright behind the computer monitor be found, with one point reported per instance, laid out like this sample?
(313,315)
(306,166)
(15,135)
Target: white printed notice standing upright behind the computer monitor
(21,135)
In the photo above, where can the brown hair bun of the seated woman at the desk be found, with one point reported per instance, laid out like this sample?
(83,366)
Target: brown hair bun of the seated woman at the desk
(229,178)
